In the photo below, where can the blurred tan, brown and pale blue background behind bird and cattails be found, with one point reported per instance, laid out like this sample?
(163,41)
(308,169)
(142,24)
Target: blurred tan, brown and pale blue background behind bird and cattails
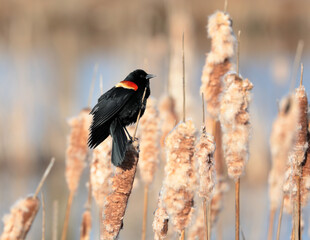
(51,50)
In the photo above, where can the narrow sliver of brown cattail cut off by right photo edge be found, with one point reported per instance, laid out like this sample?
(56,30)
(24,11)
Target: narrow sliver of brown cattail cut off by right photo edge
(305,180)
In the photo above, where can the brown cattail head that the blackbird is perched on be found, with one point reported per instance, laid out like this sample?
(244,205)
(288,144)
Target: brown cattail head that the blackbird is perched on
(116,202)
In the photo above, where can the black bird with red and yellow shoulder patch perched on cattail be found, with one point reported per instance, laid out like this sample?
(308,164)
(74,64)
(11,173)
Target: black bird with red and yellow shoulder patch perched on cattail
(118,108)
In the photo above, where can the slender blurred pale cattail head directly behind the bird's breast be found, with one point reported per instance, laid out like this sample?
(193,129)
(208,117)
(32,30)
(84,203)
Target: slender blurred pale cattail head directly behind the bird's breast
(149,142)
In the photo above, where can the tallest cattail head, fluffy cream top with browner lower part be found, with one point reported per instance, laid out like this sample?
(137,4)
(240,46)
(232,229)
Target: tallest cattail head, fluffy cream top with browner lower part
(218,60)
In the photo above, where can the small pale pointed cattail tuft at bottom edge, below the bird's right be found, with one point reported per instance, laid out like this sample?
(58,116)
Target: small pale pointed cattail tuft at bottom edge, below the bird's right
(160,222)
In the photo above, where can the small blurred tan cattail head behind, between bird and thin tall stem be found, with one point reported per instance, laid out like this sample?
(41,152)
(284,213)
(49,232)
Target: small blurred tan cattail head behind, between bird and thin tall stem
(167,115)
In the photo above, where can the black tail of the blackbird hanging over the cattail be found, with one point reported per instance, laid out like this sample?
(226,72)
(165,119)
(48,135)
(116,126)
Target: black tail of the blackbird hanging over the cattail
(119,144)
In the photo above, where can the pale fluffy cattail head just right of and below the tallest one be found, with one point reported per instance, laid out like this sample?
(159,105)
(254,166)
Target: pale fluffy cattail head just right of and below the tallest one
(235,121)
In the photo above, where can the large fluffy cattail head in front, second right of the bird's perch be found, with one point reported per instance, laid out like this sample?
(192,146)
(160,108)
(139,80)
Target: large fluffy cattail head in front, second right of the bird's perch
(180,179)
